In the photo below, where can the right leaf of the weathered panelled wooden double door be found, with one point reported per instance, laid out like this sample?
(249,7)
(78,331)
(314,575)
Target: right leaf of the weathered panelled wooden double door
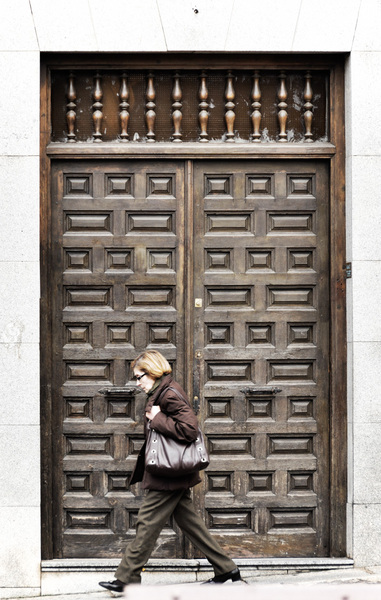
(261,286)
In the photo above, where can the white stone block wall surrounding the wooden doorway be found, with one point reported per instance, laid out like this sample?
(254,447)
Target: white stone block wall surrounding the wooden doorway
(28,27)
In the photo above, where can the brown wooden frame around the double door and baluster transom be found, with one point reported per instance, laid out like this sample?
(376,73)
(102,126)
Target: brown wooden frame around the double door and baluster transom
(334,151)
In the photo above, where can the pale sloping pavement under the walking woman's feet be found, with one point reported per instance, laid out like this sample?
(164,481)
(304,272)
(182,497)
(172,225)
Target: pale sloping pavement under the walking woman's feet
(336,584)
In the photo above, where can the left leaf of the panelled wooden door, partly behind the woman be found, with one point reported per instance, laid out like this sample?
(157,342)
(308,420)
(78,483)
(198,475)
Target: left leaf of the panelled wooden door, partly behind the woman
(117,283)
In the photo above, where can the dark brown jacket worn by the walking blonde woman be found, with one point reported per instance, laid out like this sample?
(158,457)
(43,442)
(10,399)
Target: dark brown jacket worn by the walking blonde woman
(176,420)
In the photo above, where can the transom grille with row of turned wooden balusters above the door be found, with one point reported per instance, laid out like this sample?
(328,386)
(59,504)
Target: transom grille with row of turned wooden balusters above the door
(190,106)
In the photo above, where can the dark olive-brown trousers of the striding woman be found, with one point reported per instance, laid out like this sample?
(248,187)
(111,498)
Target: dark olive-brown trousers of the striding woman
(155,511)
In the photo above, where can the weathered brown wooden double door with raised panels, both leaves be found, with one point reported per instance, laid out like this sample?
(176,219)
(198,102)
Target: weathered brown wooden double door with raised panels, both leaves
(223,266)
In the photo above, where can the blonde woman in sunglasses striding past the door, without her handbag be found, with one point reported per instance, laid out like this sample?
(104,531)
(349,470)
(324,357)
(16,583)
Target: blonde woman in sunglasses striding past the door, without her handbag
(170,414)
